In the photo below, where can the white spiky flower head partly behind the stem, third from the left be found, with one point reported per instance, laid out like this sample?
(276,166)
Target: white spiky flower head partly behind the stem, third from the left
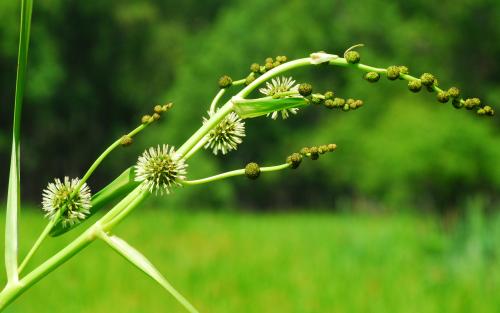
(226,136)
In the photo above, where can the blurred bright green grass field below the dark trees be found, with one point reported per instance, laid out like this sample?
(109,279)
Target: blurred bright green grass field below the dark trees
(227,262)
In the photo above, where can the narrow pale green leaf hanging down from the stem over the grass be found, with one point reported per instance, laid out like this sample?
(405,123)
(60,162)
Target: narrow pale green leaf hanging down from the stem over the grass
(141,262)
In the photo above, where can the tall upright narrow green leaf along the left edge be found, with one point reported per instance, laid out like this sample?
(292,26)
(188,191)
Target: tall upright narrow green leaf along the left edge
(14,192)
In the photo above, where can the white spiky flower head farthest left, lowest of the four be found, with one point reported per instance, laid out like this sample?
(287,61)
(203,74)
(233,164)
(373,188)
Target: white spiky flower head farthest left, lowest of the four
(57,196)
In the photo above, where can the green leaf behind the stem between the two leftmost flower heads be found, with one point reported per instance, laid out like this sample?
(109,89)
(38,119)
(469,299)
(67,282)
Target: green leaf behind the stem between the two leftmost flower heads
(115,190)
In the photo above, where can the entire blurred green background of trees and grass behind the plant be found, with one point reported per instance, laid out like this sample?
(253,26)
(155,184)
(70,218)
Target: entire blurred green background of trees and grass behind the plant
(403,217)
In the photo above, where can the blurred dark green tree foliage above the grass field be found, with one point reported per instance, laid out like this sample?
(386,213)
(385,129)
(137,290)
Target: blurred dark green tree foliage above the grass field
(95,66)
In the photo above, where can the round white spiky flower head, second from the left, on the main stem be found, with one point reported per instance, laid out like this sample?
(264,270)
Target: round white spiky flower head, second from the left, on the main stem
(159,169)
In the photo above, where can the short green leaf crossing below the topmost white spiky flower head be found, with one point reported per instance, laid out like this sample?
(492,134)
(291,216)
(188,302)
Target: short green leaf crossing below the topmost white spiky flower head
(263,106)
